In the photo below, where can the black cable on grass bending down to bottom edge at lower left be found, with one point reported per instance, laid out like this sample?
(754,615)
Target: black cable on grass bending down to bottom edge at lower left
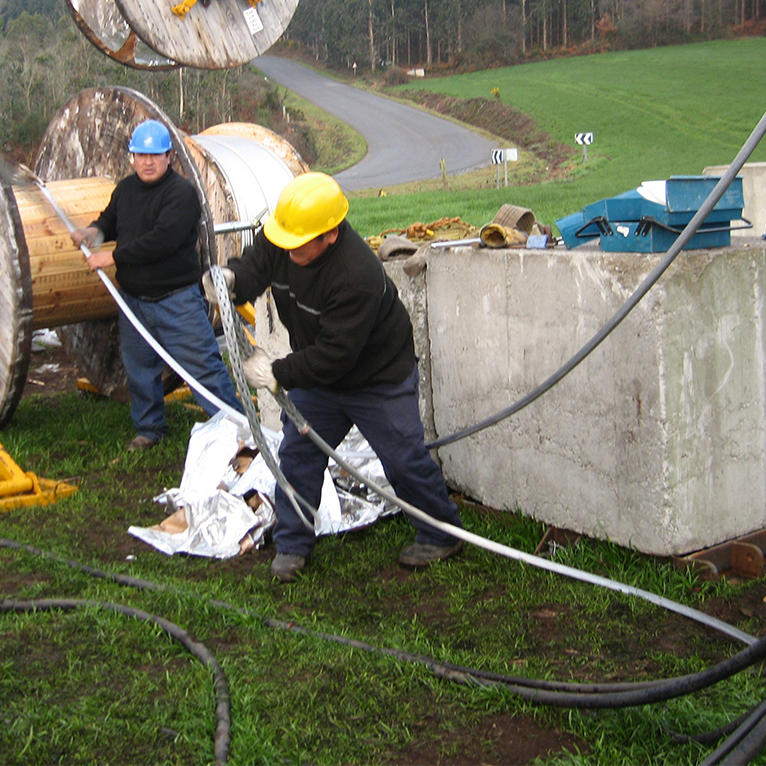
(200,651)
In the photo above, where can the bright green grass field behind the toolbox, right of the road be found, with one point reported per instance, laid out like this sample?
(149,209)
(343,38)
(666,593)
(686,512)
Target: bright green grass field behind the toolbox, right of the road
(653,113)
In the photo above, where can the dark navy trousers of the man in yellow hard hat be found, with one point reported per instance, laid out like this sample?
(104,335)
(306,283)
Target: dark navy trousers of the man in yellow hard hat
(389,418)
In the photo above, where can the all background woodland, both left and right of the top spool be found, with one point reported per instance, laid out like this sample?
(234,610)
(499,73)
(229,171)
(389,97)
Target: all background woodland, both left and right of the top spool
(45,59)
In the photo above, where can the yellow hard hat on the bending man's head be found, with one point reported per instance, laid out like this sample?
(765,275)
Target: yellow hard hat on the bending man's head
(310,205)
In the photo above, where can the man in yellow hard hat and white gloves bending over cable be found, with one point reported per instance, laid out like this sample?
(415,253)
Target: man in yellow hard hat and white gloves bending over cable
(352,363)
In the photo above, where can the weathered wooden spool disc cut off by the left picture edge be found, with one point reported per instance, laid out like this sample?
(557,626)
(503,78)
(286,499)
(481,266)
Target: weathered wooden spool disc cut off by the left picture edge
(15,305)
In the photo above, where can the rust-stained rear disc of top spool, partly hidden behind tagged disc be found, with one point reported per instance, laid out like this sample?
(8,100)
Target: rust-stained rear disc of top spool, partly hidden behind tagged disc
(102,22)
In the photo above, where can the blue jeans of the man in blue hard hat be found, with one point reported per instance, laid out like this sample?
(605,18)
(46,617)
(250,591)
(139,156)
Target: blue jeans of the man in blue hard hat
(179,322)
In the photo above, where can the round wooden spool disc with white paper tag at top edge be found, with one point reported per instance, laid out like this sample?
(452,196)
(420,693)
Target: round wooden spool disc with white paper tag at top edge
(212,37)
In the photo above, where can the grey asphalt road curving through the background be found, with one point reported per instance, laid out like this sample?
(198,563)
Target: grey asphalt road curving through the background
(403,143)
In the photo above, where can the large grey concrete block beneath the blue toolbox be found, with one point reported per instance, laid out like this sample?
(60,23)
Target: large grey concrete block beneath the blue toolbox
(657,440)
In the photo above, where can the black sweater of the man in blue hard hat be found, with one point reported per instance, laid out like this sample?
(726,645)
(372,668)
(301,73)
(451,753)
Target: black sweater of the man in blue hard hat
(155,227)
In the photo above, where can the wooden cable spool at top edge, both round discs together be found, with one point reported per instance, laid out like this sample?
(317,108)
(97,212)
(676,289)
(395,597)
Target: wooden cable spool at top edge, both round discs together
(147,34)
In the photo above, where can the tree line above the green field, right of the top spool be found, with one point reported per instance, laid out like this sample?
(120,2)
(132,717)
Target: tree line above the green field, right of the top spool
(486,33)
